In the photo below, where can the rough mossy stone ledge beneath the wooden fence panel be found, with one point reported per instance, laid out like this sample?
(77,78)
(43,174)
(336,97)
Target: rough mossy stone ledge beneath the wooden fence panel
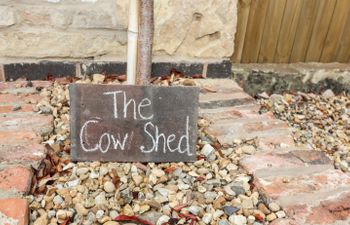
(306,77)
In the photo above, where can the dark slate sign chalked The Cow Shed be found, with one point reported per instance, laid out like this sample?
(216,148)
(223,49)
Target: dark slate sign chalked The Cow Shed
(133,123)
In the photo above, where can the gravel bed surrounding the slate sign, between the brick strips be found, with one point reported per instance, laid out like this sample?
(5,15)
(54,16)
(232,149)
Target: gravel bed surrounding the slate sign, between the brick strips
(212,190)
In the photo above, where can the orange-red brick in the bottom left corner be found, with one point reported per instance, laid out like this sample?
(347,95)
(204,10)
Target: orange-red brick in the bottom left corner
(15,208)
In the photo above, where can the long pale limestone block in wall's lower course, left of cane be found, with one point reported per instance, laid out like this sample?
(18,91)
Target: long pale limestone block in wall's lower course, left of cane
(61,44)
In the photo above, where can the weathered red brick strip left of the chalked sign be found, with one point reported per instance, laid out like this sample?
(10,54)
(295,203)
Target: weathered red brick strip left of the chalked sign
(20,148)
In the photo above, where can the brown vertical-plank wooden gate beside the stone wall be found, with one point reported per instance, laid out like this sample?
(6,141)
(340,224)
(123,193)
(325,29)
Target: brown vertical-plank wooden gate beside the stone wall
(287,31)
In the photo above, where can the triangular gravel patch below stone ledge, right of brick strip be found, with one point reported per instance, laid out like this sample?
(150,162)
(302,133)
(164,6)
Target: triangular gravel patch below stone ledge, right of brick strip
(321,122)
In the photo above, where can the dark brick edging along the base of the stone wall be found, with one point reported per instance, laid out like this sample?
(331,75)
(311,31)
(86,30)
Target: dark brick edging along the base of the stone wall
(41,70)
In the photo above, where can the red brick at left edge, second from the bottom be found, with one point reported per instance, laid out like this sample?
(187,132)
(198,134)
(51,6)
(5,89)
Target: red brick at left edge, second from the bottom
(15,179)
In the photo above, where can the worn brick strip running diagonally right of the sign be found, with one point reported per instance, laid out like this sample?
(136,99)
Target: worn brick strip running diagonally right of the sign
(303,182)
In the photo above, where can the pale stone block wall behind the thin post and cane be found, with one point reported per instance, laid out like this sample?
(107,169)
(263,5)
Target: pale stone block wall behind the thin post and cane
(97,29)
